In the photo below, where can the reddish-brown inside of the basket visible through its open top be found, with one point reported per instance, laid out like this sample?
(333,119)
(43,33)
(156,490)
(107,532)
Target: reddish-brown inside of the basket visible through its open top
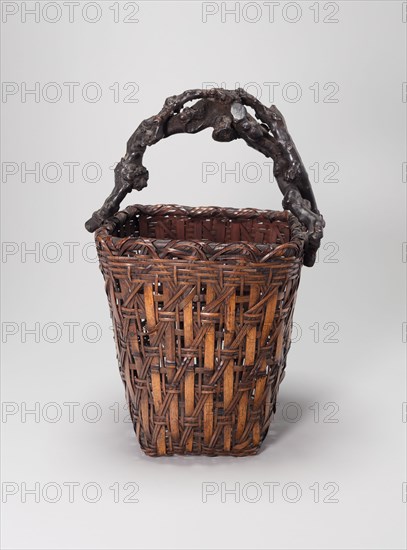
(214,227)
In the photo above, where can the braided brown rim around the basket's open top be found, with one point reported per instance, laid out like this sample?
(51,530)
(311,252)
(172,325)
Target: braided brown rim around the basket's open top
(205,249)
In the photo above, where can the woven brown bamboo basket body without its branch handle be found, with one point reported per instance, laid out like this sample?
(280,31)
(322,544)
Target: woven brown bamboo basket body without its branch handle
(202,301)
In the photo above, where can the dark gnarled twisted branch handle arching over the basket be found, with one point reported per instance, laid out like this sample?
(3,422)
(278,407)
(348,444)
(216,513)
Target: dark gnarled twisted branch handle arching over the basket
(224,111)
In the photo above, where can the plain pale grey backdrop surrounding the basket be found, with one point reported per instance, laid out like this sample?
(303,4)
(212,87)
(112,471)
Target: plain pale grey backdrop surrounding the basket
(357,374)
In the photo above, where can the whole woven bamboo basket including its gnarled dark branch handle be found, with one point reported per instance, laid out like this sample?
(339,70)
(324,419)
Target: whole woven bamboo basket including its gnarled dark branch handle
(202,299)
